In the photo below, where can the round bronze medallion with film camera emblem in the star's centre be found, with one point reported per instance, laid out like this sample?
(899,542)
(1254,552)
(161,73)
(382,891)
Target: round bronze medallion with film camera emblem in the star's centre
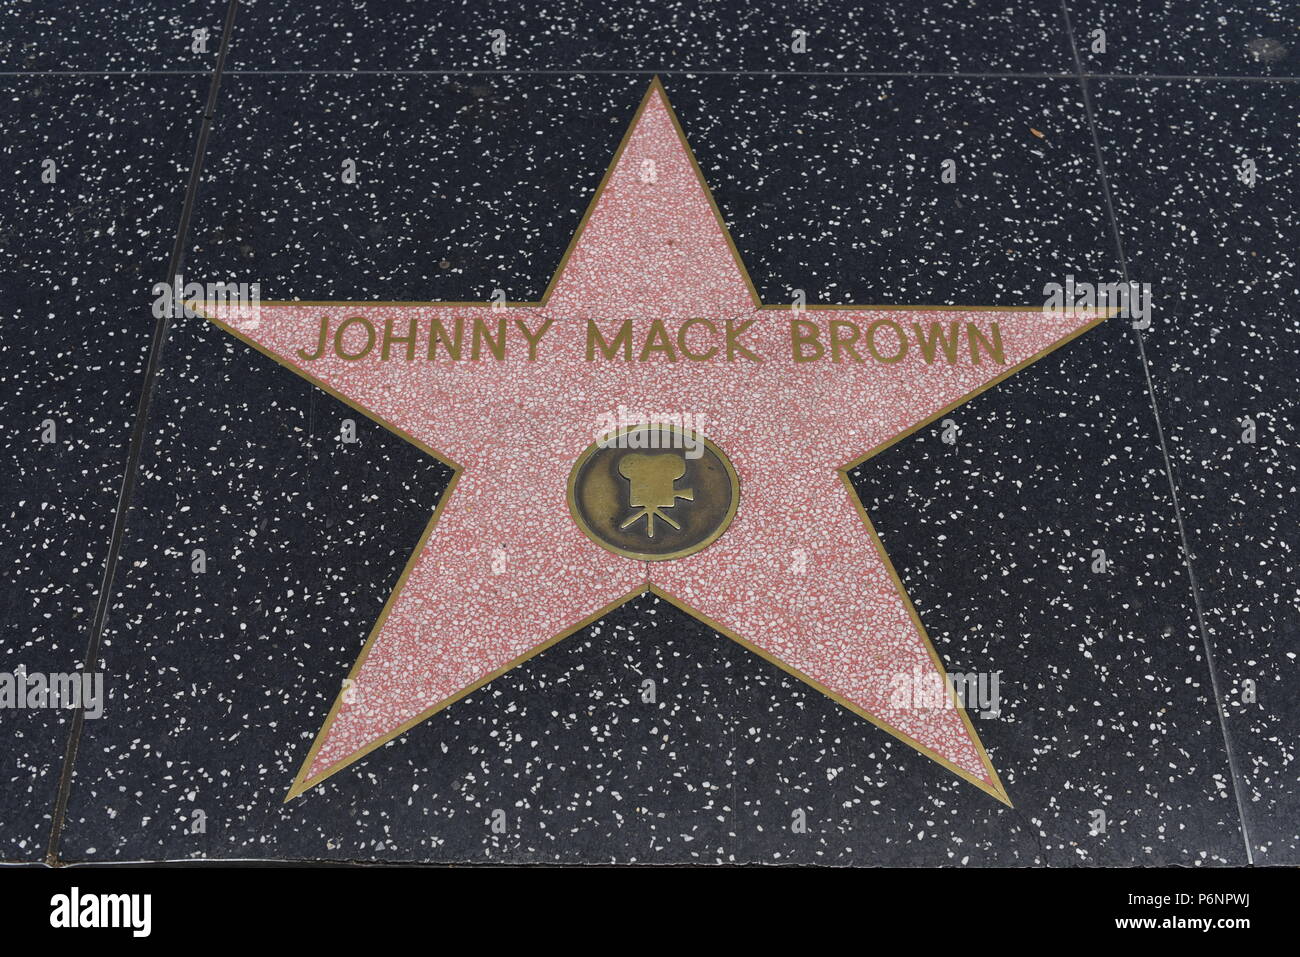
(653,492)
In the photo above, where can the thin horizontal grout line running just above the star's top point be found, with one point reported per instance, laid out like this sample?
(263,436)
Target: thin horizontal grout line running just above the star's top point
(668,72)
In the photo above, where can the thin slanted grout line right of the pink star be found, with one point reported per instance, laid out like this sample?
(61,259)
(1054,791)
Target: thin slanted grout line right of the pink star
(1164,448)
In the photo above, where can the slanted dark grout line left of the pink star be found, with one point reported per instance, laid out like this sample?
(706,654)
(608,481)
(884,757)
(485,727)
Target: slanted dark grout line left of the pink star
(135,449)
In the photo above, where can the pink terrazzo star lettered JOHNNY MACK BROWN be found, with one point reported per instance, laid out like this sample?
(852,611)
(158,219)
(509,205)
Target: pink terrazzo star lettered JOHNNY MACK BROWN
(504,571)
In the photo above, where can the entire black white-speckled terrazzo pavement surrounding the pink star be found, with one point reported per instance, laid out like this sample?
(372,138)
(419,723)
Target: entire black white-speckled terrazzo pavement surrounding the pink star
(1125,692)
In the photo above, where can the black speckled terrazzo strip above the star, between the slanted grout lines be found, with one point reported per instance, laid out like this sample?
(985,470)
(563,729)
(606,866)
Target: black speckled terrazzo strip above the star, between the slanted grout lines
(944,36)
